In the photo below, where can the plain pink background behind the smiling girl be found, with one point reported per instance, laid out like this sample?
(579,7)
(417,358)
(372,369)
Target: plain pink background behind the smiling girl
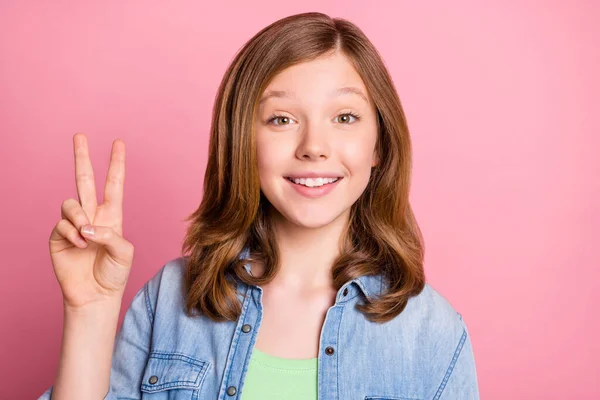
(502,101)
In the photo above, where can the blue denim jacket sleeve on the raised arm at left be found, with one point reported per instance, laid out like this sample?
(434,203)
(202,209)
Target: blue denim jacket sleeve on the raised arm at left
(132,344)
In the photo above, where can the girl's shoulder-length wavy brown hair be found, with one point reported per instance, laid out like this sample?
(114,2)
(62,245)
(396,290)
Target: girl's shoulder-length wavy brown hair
(382,236)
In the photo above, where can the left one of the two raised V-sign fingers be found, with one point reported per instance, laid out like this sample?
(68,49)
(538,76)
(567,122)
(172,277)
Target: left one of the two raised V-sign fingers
(84,176)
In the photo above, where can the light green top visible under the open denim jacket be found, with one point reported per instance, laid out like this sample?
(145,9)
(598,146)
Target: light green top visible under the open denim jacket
(274,378)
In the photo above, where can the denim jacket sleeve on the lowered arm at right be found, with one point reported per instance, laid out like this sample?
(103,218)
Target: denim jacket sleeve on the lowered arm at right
(460,382)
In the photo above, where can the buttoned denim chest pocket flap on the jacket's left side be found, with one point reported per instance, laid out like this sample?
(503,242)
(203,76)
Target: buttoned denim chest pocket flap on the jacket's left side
(172,371)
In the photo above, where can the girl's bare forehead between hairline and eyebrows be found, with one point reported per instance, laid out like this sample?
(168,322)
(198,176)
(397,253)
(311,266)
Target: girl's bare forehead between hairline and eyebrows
(323,78)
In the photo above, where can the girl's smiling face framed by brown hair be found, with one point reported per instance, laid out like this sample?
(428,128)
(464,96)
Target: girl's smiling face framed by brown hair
(315,120)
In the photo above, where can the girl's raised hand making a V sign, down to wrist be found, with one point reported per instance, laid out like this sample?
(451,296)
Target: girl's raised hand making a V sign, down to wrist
(92,268)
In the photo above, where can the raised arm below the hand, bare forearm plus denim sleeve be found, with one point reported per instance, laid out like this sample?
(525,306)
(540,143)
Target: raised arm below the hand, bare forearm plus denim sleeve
(86,364)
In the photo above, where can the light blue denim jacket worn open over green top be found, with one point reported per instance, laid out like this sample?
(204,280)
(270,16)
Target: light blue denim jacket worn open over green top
(160,353)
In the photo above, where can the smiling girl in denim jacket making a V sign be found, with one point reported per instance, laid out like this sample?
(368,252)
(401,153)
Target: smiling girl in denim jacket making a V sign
(301,275)
